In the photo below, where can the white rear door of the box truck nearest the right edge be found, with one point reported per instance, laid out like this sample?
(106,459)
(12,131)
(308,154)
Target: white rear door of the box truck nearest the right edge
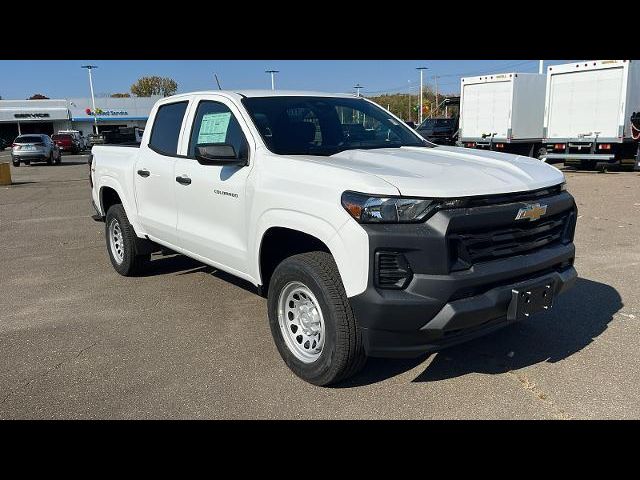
(585,102)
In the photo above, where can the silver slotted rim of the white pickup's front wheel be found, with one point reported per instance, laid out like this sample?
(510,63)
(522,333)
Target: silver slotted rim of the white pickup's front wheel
(301,321)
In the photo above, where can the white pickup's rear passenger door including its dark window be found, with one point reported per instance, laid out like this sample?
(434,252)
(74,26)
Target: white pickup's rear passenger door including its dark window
(154,177)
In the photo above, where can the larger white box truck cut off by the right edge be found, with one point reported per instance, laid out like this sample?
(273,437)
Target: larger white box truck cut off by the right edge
(587,113)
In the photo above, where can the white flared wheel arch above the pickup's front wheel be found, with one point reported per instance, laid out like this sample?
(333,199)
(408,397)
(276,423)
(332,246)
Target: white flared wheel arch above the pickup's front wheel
(348,244)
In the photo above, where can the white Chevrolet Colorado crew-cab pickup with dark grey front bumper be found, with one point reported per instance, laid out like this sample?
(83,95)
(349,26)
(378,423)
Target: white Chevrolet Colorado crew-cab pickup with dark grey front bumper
(366,239)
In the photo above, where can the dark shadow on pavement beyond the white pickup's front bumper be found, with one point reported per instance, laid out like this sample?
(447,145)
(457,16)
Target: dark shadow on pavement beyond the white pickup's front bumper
(578,317)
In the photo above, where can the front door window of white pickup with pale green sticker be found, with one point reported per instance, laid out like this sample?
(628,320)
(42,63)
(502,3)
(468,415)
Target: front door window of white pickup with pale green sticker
(215,124)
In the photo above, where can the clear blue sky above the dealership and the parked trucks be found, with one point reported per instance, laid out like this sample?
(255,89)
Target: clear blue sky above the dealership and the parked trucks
(20,79)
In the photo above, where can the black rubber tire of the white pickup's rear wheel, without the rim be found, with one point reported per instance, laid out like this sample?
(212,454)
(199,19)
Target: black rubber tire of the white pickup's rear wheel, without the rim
(131,263)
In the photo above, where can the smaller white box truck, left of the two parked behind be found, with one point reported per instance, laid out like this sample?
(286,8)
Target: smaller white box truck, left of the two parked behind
(503,112)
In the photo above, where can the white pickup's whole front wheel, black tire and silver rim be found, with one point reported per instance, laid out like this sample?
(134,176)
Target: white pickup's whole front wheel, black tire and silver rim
(311,320)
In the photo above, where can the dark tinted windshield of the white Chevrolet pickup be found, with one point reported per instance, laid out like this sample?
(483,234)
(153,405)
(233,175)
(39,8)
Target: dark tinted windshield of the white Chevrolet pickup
(326,125)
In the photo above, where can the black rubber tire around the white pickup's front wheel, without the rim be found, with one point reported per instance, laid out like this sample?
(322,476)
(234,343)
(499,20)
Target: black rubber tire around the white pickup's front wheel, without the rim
(343,352)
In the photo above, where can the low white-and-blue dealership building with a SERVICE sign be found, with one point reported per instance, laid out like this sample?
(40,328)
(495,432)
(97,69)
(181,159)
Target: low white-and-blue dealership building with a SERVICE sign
(50,116)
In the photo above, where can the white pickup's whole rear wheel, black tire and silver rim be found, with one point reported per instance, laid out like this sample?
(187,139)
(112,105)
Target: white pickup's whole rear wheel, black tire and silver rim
(121,243)
